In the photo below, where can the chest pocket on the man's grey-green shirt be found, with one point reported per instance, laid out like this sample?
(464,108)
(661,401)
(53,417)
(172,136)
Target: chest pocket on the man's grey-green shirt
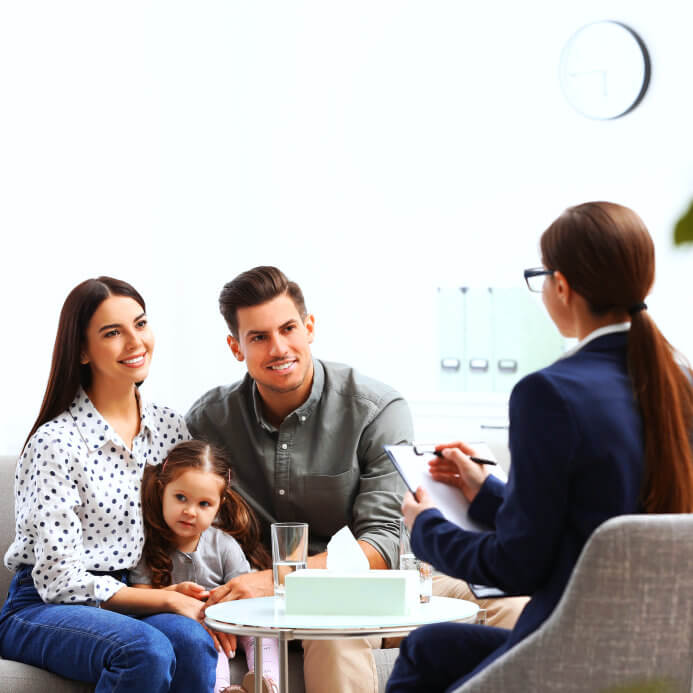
(326,501)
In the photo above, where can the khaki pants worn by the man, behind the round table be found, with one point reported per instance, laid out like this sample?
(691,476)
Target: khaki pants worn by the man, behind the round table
(347,666)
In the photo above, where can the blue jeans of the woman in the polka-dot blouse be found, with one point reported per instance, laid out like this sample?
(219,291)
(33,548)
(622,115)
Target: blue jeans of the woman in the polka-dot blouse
(119,653)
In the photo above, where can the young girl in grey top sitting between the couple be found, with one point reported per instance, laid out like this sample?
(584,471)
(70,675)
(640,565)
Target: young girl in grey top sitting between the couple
(198,532)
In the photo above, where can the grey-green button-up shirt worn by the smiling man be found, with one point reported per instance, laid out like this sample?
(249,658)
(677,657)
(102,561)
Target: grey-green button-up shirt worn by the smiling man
(325,464)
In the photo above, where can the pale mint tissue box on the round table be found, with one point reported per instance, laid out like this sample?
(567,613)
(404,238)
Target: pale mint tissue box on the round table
(331,593)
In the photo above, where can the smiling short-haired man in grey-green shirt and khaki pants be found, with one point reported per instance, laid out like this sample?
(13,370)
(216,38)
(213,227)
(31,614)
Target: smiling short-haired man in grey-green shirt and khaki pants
(305,440)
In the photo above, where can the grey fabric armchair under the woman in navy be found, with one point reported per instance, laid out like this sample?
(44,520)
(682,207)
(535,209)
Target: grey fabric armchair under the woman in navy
(624,623)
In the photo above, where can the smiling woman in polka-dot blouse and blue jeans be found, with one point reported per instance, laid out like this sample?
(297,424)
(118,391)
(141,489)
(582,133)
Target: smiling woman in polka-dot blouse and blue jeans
(77,520)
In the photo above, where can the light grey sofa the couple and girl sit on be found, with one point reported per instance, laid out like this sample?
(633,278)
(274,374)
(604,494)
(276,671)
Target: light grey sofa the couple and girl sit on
(21,678)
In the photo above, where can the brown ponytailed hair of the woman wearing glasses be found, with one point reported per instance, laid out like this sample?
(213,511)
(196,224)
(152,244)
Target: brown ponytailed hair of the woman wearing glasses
(607,256)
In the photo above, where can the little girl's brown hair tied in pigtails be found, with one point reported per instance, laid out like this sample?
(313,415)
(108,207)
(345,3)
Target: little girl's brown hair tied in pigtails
(234,516)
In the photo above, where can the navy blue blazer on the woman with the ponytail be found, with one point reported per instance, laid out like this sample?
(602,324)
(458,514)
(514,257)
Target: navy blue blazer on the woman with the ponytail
(577,453)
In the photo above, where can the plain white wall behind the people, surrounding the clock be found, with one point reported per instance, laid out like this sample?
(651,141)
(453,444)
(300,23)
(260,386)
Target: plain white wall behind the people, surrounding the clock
(373,150)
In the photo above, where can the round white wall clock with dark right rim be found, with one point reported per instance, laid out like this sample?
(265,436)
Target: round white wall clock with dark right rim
(605,70)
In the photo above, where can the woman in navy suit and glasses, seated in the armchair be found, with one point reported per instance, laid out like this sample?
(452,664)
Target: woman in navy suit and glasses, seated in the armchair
(602,432)
